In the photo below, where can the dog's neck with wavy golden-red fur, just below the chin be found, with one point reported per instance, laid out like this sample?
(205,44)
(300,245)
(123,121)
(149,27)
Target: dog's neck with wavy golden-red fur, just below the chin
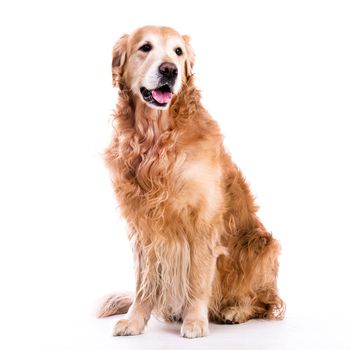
(146,135)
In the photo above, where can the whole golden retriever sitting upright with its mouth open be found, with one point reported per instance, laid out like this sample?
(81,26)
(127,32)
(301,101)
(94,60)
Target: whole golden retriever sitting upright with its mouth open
(201,253)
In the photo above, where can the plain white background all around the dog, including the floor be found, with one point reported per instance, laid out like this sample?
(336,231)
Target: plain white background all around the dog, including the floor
(276,76)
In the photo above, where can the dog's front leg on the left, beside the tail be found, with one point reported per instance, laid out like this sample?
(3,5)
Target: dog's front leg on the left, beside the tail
(140,311)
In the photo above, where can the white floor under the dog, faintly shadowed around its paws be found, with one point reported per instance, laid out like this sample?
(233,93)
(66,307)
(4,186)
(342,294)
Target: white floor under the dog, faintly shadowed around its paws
(89,333)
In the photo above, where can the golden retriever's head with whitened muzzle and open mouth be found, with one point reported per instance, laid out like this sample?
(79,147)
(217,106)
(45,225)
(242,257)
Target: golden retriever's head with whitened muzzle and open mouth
(153,62)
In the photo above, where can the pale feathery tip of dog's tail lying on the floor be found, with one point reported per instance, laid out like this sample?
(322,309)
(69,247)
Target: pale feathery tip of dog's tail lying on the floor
(115,304)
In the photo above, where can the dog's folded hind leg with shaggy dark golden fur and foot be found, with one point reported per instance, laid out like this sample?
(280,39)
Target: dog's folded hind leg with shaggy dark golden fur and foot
(249,285)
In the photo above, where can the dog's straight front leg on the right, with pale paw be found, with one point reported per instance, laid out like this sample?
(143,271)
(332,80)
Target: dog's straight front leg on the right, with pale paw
(195,317)
